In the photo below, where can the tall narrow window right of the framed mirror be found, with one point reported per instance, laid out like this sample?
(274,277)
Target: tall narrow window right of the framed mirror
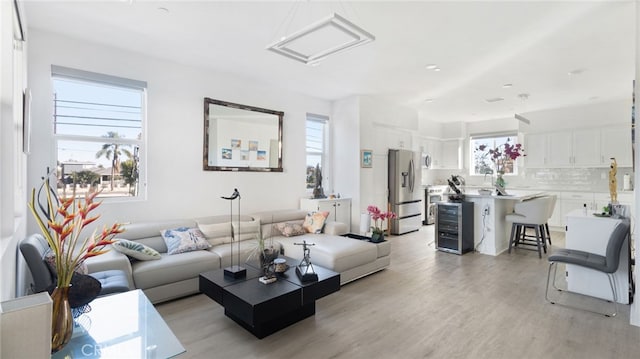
(317,139)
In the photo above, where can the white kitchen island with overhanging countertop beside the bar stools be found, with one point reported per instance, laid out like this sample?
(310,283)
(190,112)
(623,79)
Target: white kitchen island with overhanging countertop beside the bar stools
(491,230)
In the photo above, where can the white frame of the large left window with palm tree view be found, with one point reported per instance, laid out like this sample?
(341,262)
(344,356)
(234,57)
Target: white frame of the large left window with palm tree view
(138,145)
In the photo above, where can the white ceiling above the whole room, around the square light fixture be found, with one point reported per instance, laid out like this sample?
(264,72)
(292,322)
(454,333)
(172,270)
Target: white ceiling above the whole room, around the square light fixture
(478,45)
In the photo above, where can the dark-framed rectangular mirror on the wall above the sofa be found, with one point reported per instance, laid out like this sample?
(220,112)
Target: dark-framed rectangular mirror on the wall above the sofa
(241,137)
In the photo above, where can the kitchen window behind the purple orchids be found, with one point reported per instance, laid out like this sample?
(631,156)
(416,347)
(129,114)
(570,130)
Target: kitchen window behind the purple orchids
(483,147)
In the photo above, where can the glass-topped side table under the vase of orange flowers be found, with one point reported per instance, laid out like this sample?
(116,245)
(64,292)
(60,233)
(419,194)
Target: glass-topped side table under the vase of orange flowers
(123,325)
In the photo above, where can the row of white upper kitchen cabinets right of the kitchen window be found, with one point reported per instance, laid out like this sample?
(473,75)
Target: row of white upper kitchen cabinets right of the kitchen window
(584,148)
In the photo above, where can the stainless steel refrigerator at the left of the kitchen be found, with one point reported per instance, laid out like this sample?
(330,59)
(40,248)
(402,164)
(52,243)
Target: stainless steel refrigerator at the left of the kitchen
(405,194)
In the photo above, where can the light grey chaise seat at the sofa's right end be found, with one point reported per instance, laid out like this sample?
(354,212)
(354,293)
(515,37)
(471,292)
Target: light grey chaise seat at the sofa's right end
(333,252)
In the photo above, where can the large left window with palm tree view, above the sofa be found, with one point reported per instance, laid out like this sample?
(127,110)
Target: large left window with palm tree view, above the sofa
(99,133)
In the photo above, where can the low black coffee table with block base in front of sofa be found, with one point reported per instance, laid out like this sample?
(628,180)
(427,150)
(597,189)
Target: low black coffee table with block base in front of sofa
(263,309)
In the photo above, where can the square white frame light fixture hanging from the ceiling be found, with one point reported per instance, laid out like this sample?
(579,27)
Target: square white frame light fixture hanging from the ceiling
(317,41)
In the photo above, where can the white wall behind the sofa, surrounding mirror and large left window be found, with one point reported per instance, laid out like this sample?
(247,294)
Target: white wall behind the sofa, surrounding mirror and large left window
(177,185)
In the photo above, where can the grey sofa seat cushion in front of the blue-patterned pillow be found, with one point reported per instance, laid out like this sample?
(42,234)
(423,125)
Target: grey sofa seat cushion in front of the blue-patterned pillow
(173,268)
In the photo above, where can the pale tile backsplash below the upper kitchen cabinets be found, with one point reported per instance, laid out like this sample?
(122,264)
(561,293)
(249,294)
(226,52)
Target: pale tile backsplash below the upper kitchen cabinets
(579,179)
